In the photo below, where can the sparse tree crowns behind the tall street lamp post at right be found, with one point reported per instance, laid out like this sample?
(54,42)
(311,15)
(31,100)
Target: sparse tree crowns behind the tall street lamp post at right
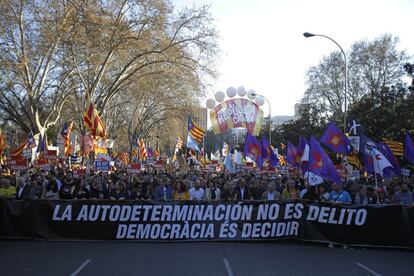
(372,66)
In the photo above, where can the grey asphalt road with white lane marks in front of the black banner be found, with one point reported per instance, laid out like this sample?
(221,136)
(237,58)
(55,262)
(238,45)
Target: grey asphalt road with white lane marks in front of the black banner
(198,258)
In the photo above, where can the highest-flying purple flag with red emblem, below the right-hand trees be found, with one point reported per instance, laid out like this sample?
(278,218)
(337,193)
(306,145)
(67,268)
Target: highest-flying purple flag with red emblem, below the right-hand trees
(335,140)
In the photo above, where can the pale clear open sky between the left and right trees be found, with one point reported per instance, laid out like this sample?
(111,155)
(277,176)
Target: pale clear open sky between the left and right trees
(263,47)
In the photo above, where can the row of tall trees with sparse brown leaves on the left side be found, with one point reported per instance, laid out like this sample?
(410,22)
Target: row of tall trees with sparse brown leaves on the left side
(138,59)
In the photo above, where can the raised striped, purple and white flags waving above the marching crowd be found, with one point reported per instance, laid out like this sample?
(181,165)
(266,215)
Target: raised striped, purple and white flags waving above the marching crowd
(308,157)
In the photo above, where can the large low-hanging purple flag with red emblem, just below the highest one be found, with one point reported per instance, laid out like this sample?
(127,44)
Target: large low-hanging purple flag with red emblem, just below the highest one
(320,164)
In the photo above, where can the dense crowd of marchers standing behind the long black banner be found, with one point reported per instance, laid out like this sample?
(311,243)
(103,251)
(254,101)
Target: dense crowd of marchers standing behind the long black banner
(62,184)
